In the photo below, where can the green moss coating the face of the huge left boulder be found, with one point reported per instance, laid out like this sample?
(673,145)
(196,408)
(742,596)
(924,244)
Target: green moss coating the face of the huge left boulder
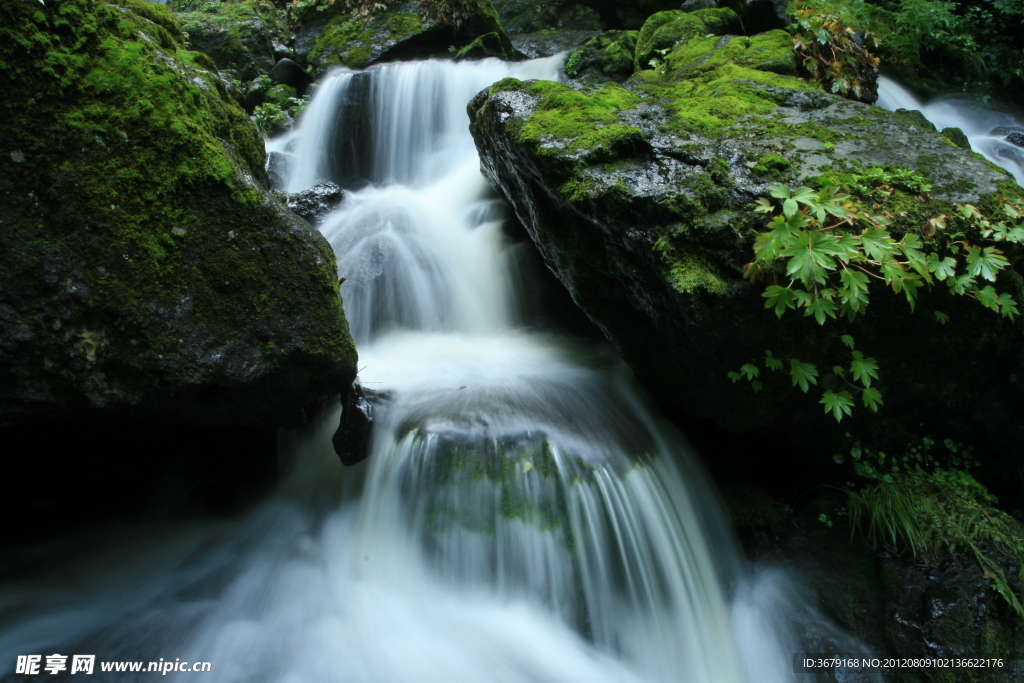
(140,163)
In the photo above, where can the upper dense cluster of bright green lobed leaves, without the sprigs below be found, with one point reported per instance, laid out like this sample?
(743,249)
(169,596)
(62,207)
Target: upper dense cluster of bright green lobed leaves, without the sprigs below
(827,270)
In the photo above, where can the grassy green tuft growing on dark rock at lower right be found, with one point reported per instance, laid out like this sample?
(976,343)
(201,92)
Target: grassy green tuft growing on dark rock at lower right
(929,504)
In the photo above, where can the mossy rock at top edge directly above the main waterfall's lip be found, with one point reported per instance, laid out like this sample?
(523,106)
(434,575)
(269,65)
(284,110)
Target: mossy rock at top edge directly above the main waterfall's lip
(410,31)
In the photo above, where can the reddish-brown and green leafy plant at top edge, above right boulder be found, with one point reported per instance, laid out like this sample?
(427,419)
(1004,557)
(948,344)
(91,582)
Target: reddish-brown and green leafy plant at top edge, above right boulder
(834,50)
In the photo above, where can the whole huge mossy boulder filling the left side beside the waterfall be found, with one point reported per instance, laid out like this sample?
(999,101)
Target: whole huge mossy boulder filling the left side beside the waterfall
(145,270)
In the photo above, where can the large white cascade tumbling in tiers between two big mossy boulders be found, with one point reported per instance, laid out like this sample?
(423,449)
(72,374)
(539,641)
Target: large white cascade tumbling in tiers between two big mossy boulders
(523,516)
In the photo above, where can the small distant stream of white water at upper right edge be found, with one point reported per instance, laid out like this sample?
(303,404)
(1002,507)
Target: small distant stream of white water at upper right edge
(986,129)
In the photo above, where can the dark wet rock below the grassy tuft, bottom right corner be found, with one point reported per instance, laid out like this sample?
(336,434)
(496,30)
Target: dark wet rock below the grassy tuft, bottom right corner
(899,606)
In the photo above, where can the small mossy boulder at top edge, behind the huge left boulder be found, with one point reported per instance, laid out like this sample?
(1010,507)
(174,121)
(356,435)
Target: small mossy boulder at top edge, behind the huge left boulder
(238,35)
